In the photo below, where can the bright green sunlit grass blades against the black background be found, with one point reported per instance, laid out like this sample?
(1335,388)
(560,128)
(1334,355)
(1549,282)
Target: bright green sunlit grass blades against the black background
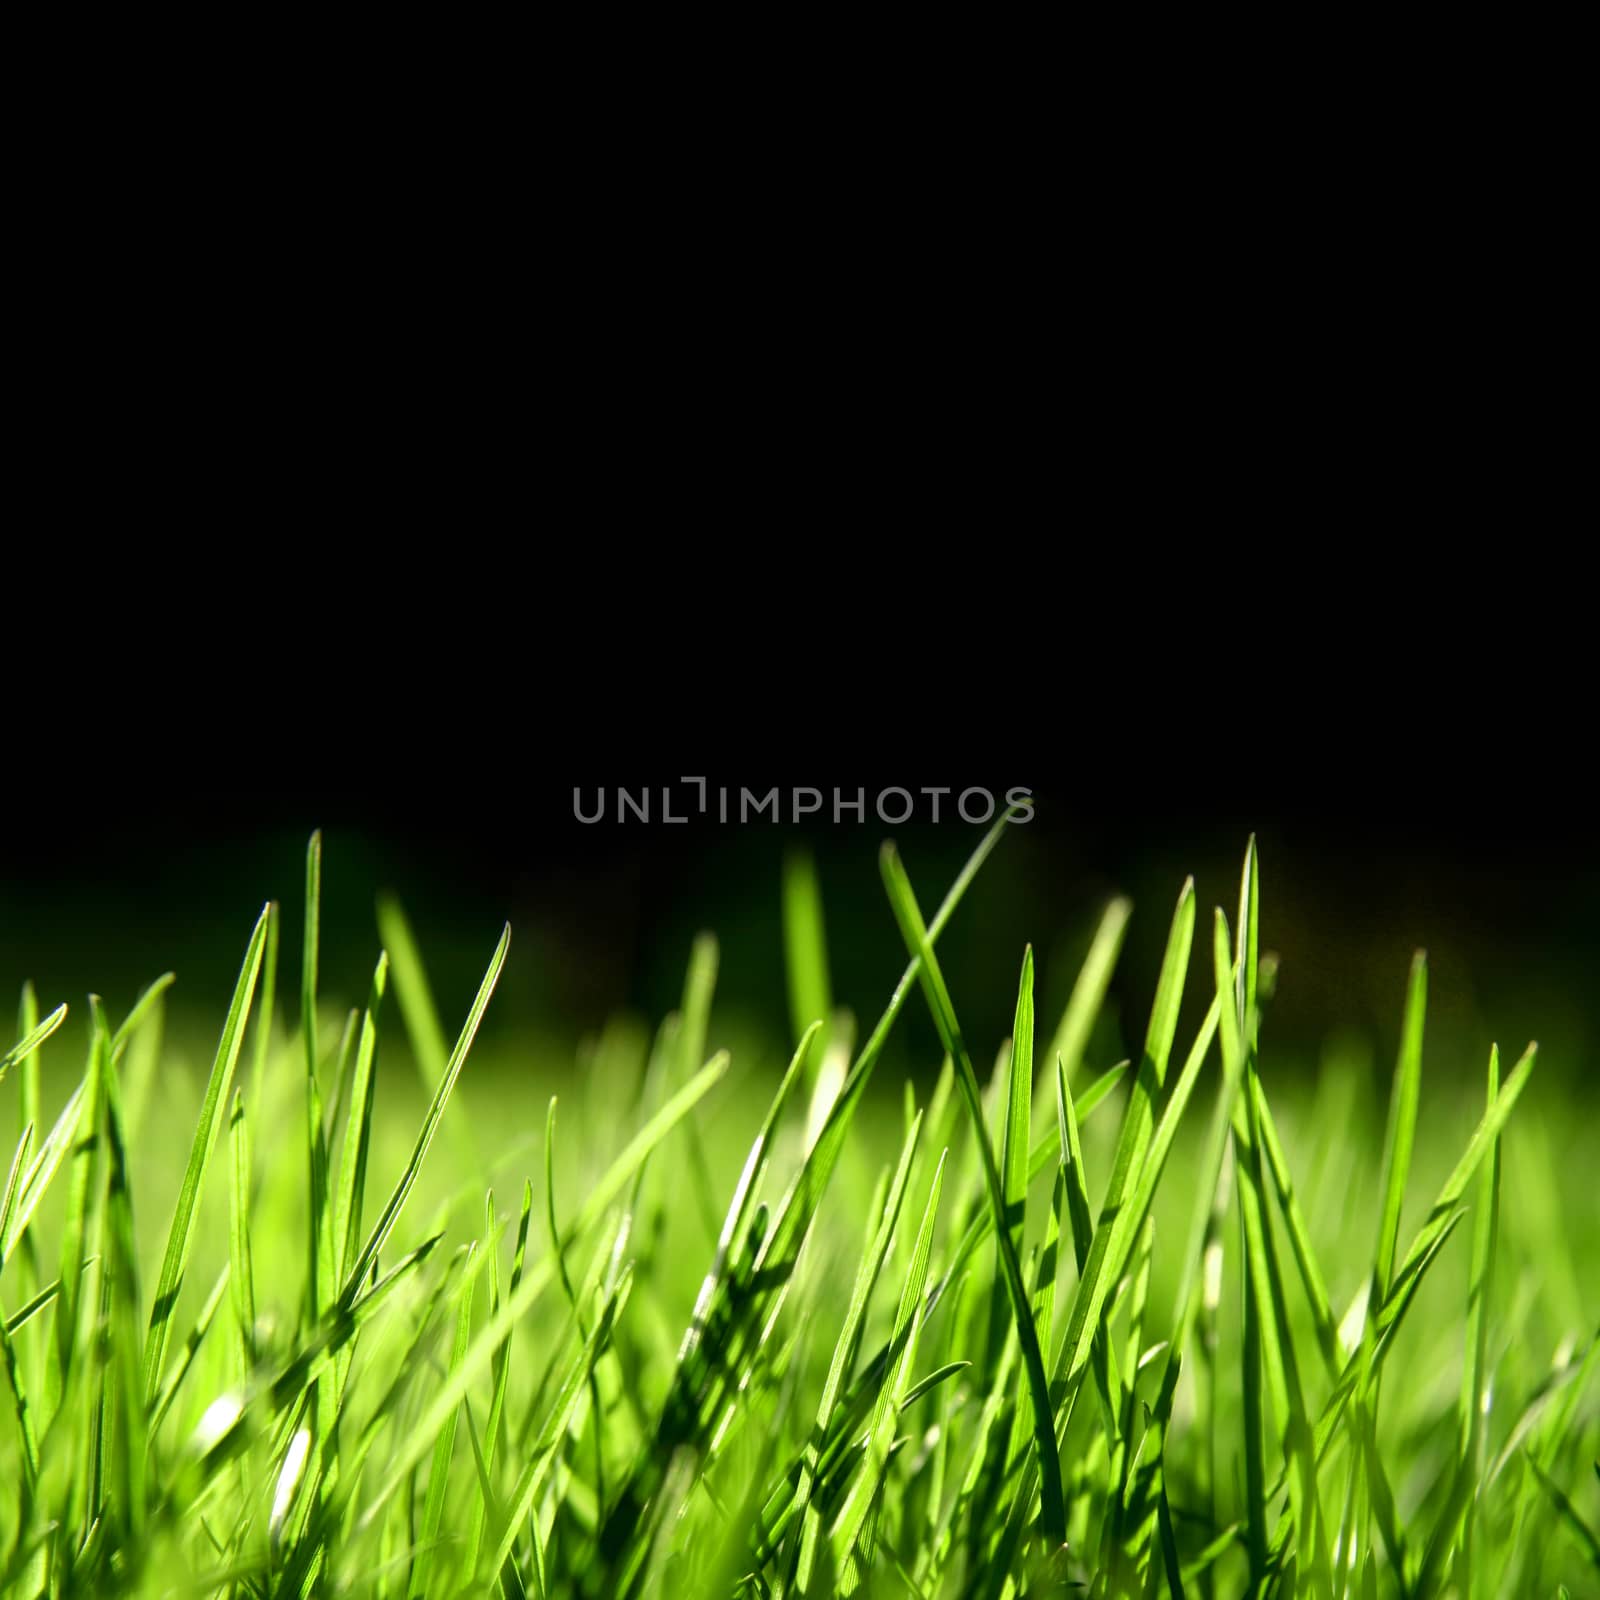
(1178,1326)
